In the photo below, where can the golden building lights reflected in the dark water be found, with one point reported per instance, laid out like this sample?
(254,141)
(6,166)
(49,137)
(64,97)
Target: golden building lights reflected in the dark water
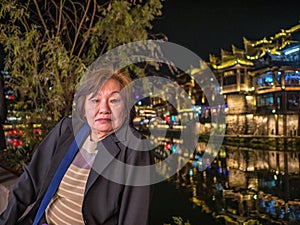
(243,185)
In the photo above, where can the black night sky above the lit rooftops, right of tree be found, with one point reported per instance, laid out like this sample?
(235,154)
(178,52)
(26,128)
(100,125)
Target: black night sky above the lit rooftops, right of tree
(206,27)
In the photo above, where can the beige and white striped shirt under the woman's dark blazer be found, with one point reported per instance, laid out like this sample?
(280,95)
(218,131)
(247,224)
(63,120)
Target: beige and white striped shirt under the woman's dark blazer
(65,206)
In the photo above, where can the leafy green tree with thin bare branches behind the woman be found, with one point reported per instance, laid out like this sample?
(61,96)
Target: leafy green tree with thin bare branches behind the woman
(48,45)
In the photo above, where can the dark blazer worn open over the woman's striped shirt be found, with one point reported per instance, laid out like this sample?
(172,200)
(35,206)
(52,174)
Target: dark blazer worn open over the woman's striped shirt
(105,202)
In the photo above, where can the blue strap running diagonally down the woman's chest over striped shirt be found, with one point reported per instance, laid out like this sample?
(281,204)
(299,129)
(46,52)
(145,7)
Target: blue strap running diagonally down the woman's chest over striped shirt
(60,172)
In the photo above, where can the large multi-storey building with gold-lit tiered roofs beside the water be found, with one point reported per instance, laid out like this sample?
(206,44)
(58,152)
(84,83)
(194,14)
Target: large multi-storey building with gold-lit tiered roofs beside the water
(261,85)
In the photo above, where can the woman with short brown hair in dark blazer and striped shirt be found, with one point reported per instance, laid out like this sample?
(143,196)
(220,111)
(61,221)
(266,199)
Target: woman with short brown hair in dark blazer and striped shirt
(59,187)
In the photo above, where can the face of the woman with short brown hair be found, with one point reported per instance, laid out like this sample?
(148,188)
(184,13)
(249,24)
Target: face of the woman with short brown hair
(105,112)
